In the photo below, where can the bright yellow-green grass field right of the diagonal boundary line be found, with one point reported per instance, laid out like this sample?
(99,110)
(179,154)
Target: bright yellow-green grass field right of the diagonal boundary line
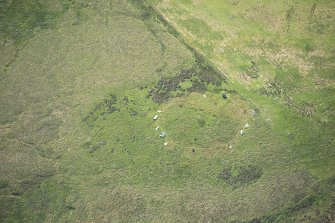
(248,52)
